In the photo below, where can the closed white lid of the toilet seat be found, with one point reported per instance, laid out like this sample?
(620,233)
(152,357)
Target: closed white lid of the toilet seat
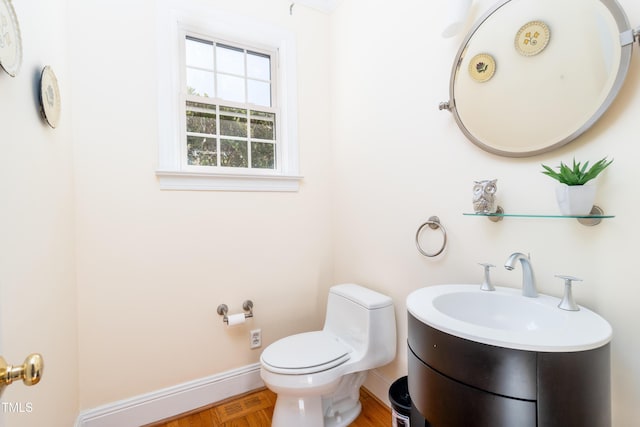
(305,353)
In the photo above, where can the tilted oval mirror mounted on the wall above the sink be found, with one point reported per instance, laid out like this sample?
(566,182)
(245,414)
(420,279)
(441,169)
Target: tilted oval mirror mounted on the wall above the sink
(532,75)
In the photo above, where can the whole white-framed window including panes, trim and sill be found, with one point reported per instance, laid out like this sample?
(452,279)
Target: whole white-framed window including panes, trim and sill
(227,89)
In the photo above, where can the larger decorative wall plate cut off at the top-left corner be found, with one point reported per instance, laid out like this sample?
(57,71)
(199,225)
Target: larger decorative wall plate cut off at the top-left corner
(10,41)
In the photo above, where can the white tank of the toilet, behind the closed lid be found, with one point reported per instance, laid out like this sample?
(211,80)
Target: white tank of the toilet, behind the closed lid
(365,320)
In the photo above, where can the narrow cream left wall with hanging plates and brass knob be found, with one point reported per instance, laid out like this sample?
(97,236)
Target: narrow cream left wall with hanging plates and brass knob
(37,269)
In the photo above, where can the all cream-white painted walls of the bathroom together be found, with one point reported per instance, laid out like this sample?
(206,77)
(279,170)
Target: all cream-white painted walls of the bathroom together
(378,159)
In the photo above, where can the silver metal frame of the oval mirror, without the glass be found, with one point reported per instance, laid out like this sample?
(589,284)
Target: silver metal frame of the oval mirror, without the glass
(626,41)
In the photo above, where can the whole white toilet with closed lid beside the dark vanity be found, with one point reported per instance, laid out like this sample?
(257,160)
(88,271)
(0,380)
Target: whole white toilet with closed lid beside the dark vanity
(317,375)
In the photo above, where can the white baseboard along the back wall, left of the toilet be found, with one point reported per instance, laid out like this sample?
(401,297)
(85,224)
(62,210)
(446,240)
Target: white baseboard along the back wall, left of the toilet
(171,401)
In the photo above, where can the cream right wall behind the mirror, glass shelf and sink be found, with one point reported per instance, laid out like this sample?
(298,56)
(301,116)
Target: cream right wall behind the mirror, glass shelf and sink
(398,160)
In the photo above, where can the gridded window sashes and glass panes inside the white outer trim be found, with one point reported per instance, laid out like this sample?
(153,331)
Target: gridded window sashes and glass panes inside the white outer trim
(230,107)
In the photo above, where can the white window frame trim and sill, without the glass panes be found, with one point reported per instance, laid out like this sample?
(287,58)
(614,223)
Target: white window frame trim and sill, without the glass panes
(175,17)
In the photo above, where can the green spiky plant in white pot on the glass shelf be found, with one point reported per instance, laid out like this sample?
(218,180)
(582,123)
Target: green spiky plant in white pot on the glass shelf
(574,197)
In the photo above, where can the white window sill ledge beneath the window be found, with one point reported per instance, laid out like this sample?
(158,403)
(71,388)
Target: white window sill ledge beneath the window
(174,180)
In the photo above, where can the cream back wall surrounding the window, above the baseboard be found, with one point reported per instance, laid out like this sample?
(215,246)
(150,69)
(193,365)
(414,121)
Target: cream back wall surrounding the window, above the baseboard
(154,265)
